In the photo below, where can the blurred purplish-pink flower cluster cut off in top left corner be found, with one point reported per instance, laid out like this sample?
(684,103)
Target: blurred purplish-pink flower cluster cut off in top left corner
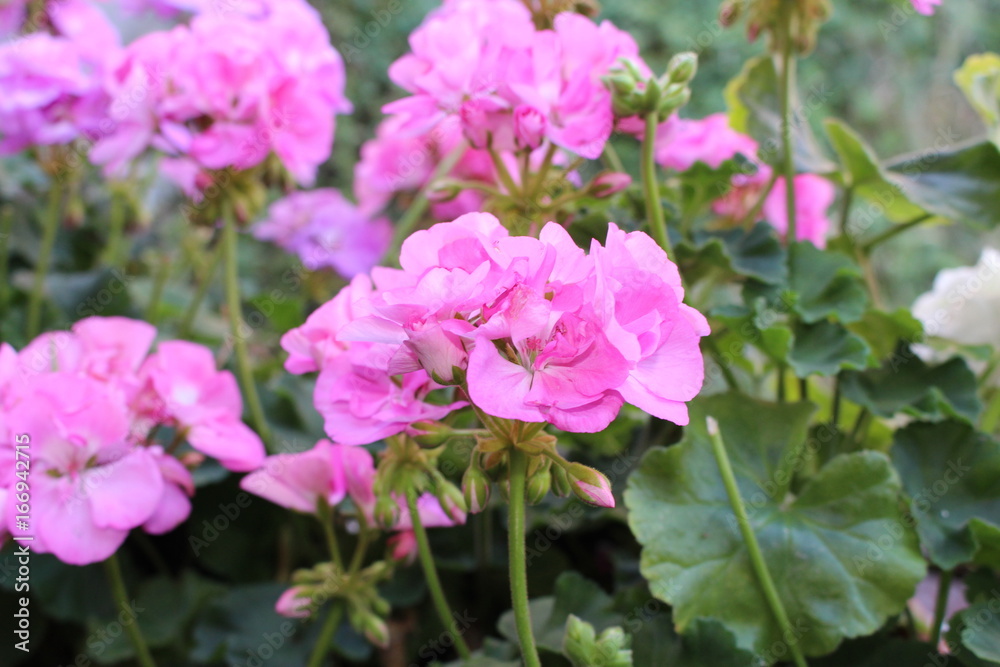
(53,82)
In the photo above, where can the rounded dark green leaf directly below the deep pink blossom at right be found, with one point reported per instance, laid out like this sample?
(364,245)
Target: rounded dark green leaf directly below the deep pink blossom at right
(825,284)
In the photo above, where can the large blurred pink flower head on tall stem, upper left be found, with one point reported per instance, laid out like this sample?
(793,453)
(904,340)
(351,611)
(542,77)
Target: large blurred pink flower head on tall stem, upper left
(225,92)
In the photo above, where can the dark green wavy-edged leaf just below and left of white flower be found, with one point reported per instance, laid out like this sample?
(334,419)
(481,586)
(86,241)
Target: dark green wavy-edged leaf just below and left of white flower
(906,384)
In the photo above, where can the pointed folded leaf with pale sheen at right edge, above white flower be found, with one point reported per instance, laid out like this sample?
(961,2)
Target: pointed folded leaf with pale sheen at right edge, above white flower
(960,184)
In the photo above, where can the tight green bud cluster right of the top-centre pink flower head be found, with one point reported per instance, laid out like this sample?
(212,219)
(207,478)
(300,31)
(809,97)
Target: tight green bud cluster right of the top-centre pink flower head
(635,94)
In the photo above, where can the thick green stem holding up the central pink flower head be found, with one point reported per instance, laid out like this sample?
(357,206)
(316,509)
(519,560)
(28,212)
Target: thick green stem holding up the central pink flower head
(518,567)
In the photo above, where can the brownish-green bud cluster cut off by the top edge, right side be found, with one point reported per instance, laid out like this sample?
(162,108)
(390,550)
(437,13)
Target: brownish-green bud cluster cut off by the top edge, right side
(804,17)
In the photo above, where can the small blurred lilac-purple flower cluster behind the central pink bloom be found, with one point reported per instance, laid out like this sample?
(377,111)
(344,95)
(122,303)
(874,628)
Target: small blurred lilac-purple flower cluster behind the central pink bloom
(326,231)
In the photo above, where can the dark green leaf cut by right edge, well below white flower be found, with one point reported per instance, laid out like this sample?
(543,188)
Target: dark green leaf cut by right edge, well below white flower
(950,473)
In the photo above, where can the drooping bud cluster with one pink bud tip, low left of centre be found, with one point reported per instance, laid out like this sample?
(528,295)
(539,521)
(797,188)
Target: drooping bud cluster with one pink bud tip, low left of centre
(367,611)
